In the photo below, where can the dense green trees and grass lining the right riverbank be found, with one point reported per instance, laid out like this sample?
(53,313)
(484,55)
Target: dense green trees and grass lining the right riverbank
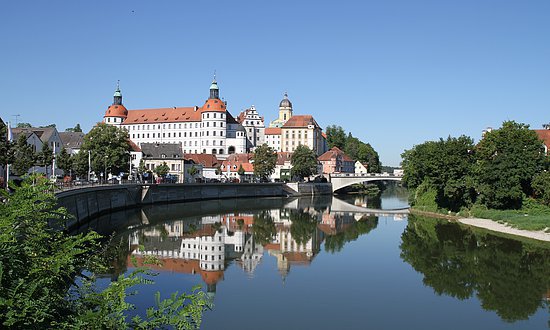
(503,177)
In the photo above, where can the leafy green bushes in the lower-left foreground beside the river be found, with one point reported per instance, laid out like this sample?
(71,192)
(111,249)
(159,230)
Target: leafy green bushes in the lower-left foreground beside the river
(47,277)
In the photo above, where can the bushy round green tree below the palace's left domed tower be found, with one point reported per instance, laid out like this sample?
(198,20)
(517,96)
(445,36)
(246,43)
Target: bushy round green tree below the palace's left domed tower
(109,150)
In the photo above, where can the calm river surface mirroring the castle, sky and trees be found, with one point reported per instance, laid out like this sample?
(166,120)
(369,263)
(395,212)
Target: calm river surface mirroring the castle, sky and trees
(319,263)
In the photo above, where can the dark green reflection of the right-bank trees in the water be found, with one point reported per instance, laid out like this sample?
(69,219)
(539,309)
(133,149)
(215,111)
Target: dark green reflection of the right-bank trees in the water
(507,276)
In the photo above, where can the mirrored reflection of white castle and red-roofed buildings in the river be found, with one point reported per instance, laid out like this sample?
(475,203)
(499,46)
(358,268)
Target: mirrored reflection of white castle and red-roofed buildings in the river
(193,238)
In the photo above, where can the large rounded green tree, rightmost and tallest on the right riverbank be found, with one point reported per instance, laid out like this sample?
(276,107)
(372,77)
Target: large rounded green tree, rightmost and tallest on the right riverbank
(507,160)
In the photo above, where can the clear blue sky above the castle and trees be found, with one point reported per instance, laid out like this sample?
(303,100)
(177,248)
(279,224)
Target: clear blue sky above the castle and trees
(394,73)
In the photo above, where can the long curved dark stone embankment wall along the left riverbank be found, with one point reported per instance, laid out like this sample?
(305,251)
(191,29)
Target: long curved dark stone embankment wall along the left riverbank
(86,203)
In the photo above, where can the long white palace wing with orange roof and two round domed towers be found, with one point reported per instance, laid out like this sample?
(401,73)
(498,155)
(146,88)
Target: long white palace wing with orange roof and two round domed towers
(209,129)
